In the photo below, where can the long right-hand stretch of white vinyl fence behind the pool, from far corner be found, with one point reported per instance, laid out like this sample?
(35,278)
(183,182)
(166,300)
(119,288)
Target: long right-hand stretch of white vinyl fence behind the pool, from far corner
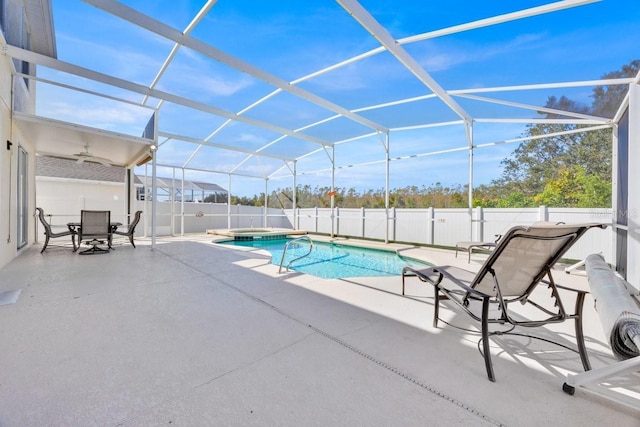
(445,227)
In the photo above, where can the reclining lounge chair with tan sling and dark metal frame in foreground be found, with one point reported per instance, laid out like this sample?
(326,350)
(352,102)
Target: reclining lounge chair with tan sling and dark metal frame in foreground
(522,259)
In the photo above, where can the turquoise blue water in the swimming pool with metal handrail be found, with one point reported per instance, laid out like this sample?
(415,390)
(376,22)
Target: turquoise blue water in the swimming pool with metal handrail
(332,261)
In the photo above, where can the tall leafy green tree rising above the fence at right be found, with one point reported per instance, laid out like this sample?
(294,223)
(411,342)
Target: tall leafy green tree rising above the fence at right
(557,170)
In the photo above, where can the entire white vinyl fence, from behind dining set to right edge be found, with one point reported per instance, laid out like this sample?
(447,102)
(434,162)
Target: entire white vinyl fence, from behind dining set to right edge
(428,226)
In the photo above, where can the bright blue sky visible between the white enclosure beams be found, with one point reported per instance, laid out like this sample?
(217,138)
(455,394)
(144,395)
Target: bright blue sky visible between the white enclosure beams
(291,39)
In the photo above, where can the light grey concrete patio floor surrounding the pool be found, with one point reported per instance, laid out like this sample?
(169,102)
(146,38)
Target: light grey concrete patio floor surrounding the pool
(192,333)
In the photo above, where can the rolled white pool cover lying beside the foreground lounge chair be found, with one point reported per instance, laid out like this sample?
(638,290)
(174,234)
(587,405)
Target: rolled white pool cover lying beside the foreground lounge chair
(618,311)
